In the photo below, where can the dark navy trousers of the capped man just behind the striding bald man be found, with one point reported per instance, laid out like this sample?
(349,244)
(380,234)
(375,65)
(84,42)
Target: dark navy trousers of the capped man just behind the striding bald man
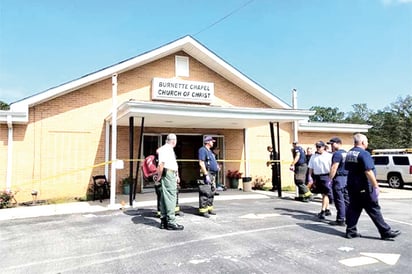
(340,196)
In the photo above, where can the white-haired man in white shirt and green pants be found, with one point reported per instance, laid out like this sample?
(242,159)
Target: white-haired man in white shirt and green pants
(167,171)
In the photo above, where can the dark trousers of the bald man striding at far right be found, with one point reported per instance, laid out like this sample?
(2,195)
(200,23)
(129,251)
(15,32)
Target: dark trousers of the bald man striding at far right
(359,201)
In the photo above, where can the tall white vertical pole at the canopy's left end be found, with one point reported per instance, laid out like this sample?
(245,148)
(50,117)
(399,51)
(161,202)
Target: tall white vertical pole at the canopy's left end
(114,142)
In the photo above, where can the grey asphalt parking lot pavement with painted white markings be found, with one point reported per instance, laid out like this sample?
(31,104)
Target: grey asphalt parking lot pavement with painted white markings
(251,233)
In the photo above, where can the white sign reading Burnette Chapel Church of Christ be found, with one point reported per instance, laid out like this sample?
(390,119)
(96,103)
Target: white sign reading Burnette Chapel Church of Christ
(182,91)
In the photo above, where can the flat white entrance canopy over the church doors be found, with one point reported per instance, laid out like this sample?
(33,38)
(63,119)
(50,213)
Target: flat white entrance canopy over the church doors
(160,114)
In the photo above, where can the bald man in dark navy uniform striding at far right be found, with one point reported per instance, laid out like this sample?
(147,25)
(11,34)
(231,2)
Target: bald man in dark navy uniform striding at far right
(363,191)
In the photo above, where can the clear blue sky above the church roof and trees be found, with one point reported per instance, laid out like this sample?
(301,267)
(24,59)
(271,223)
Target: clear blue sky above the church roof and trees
(335,53)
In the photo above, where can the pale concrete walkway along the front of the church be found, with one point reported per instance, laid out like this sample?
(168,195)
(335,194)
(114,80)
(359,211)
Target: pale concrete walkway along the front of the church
(149,200)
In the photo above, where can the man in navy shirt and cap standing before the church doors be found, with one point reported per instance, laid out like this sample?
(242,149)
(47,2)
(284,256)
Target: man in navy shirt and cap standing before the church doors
(208,168)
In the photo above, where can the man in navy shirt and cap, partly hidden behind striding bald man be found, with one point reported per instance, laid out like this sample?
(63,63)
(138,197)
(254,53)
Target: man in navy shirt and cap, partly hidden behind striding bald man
(338,175)
